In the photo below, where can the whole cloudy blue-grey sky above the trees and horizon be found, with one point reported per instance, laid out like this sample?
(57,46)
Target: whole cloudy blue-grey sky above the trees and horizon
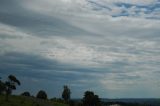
(110,47)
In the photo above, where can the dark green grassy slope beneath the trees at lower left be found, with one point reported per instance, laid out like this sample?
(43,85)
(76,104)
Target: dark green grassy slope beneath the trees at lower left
(27,101)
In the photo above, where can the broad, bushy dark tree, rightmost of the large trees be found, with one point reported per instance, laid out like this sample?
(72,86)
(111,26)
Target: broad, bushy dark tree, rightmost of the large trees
(90,99)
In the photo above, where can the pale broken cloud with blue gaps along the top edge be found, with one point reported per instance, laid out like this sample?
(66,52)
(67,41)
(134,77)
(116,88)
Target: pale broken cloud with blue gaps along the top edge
(83,8)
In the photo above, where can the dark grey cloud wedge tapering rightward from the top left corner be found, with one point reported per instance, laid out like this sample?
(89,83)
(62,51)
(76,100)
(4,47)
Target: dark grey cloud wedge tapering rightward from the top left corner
(14,14)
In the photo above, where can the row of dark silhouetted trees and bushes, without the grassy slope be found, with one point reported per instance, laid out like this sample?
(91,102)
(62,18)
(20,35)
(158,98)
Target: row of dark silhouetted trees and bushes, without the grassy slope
(89,99)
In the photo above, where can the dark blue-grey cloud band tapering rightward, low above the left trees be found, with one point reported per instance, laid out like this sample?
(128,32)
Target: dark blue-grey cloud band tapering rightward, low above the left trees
(37,66)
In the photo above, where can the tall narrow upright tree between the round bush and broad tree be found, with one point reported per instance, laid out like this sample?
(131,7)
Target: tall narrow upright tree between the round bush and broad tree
(66,93)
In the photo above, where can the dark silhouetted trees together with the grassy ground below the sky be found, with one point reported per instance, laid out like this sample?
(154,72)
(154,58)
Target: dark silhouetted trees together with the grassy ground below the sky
(41,99)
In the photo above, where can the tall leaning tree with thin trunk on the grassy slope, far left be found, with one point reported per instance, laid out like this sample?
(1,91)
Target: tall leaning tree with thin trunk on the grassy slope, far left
(11,85)
